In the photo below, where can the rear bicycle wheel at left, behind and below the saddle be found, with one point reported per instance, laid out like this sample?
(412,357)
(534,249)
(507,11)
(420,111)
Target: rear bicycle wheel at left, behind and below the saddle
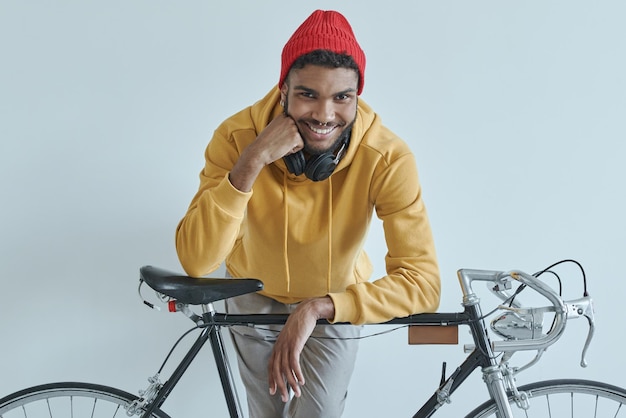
(69,399)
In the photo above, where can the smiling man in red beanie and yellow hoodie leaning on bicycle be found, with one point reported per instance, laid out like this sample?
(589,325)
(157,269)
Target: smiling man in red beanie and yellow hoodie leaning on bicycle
(286,196)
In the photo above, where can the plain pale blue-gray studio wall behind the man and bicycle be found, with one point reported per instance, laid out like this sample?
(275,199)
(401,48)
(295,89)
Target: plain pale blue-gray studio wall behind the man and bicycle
(515,112)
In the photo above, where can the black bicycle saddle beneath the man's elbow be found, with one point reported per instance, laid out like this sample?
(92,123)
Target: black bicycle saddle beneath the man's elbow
(196,291)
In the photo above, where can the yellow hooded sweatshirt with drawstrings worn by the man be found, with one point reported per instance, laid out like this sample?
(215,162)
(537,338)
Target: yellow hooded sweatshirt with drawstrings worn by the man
(305,239)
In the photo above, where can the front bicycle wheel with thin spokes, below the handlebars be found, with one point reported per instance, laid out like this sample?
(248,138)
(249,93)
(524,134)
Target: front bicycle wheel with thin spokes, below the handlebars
(564,398)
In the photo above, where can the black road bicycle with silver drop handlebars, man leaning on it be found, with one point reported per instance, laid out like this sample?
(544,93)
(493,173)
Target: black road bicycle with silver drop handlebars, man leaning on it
(520,330)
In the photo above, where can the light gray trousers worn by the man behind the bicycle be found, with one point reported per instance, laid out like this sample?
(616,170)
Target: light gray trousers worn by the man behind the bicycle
(327,362)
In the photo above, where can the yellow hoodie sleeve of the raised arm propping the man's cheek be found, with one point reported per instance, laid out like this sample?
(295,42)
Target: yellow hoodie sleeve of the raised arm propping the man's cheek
(209,229)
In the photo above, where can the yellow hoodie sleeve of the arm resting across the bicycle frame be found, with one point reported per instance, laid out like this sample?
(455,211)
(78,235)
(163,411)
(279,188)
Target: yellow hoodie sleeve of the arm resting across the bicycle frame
(412,284)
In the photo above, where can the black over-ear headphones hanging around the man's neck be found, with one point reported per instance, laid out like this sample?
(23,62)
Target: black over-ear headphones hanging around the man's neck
(318,167)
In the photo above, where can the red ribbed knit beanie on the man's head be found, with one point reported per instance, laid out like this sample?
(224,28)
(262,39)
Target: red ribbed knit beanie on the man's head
(323,30)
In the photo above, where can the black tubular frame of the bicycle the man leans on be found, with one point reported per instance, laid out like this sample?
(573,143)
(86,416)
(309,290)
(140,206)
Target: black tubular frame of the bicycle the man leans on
(213,322)
